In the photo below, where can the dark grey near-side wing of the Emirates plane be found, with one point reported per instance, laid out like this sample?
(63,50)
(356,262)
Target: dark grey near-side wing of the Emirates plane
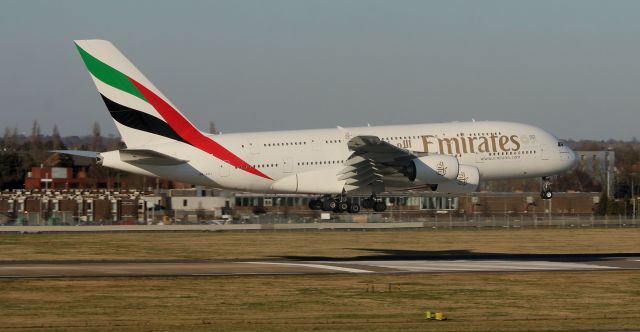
(373,162)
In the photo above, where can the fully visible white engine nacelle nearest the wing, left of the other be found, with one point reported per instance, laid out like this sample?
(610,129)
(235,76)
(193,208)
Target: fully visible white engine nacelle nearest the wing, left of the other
(434,169)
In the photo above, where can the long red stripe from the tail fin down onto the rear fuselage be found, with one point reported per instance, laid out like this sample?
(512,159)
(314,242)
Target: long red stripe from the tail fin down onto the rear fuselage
(192,135)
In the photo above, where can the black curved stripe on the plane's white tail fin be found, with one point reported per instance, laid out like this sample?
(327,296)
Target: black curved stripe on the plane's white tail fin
(140,120)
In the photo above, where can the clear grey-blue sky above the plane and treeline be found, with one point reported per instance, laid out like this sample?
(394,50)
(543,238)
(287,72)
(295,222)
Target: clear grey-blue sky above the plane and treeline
(570,67)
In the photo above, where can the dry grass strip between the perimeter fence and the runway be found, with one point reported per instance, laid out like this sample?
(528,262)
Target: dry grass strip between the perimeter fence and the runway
(260,245)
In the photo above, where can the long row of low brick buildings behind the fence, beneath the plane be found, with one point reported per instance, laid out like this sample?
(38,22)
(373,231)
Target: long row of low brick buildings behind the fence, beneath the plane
(72,207)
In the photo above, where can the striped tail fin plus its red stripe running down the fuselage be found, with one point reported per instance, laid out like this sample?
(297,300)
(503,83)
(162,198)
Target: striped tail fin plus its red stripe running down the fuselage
(143,115)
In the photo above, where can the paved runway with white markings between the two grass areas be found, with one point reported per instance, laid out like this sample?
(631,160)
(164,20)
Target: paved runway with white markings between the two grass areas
(62,269)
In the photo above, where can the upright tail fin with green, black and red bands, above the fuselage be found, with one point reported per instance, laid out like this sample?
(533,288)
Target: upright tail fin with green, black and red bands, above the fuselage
(142,114)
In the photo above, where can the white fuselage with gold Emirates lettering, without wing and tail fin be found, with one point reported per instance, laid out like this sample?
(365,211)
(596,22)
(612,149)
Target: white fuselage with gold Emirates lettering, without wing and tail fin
(499,150)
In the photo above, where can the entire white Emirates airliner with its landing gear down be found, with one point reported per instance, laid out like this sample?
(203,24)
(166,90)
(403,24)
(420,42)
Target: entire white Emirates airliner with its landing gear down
(451,158)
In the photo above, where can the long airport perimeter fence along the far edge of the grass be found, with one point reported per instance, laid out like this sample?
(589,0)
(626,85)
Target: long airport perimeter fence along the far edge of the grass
(389,219)
